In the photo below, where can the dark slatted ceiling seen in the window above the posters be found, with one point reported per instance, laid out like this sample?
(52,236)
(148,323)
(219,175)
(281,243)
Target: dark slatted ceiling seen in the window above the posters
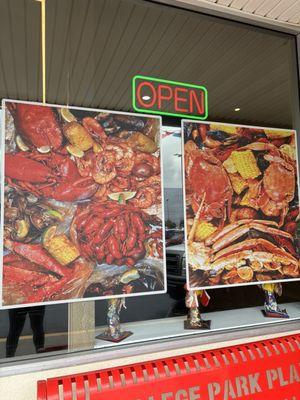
(95,47)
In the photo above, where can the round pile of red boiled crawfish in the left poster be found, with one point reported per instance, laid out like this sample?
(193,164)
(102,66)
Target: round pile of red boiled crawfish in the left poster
(111,232)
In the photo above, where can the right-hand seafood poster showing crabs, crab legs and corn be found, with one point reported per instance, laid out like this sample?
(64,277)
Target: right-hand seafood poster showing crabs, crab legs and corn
(241,204)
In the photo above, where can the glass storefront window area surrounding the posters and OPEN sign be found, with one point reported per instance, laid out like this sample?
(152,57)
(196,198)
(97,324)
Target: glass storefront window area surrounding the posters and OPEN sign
(93,51)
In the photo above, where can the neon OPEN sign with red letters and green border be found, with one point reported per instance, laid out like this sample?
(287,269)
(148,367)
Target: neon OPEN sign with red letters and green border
(163,97)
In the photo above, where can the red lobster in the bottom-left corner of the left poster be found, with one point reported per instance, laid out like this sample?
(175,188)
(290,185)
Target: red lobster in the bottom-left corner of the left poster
(32,275)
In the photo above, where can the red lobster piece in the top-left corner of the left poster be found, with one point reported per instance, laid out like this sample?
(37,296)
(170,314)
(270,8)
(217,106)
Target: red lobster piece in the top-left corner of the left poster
(36,124)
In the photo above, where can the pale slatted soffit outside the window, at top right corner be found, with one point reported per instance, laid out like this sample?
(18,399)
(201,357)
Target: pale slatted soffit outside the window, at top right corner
(287,11)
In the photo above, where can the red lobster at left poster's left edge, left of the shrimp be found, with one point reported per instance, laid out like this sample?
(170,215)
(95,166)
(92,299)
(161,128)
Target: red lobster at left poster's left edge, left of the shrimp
(50,175)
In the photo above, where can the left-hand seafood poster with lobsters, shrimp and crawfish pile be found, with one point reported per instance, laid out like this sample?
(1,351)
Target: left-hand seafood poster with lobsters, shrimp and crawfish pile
(82,207)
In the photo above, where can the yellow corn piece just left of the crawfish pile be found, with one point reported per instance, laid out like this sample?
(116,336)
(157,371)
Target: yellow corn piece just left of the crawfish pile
(62,249)
